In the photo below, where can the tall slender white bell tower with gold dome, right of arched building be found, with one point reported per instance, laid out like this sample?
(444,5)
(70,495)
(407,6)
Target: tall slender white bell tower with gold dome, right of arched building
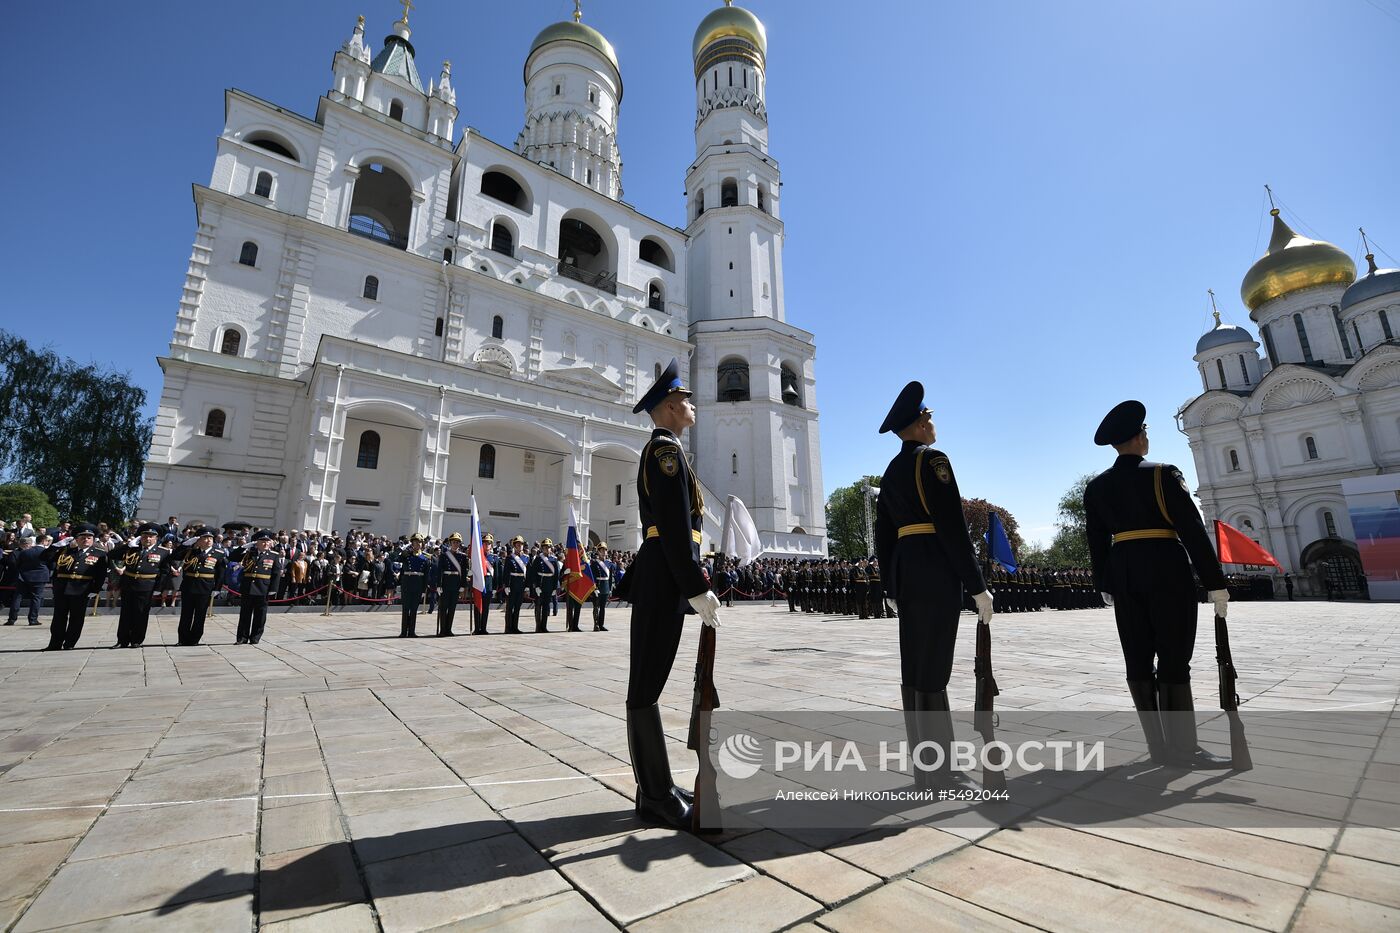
(757,431)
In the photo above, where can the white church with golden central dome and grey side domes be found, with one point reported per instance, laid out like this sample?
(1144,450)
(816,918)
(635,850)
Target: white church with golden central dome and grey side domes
(1276,439)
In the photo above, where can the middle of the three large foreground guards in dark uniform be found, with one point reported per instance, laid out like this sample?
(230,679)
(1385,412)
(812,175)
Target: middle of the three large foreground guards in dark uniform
(925,547)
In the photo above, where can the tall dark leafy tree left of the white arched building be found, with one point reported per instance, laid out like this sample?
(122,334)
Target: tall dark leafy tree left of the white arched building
(75,432)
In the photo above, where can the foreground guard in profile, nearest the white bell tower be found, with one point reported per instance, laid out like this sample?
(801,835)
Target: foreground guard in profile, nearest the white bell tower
(663,585)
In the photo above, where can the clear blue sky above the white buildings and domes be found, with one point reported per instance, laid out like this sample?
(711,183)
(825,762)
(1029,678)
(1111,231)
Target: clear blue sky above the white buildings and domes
(1023,204)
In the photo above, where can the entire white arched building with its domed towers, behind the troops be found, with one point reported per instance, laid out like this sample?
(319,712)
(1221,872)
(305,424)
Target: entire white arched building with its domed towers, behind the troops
(381,319)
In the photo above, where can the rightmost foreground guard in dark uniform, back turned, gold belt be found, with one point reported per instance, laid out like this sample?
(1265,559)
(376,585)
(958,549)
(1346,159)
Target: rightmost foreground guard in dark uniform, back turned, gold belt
(1144,539)
